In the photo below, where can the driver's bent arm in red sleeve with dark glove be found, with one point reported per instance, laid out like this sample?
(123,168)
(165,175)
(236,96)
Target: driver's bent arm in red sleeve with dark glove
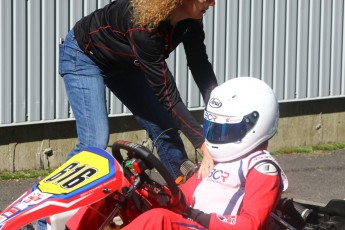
(261,194)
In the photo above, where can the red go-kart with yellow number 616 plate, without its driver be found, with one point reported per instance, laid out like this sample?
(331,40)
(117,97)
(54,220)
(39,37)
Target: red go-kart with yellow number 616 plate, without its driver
(133,180)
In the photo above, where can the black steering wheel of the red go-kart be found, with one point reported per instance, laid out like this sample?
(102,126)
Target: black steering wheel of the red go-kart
(151,162)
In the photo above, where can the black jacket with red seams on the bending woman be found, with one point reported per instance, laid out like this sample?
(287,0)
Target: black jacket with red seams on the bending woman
(110,39)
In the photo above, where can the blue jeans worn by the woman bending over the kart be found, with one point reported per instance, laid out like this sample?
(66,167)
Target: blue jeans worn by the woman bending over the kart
(85,84)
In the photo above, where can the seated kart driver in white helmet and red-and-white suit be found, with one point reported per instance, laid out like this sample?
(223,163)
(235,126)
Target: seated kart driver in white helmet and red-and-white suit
(246,181)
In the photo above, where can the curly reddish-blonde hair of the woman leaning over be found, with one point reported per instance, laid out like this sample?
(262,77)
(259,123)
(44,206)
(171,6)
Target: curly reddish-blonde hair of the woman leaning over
(149,13)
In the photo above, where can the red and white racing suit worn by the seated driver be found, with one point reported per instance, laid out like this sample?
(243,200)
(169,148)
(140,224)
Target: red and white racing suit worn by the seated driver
(236,195)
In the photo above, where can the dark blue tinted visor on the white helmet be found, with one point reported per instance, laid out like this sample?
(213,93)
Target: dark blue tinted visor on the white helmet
(224,131)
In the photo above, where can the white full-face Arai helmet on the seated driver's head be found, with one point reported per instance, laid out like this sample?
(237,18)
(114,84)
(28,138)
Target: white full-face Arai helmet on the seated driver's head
(241,114)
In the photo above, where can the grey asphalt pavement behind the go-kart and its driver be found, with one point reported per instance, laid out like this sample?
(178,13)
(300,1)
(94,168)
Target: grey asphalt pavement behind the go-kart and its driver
(314,178)
